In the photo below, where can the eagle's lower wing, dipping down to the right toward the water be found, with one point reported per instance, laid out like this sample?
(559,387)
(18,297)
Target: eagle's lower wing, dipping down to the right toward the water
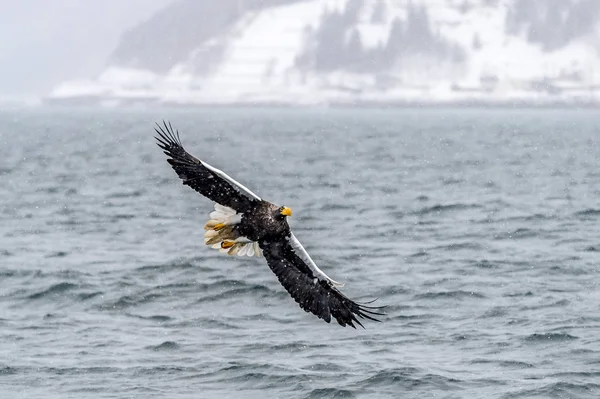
(313,291)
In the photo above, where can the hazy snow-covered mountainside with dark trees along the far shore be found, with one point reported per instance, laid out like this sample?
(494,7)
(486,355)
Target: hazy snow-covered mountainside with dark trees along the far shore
(354,51)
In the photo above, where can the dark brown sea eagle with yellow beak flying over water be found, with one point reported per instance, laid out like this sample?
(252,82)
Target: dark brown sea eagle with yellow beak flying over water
(244,224)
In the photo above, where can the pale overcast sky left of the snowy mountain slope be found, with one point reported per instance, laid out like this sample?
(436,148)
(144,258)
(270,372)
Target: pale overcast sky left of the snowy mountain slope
(46,41)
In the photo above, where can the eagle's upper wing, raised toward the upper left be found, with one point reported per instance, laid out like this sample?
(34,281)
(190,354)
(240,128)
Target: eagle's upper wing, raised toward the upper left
(207,180)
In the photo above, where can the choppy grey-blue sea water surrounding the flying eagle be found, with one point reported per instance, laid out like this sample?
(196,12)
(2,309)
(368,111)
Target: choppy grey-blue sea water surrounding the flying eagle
(479,229)
